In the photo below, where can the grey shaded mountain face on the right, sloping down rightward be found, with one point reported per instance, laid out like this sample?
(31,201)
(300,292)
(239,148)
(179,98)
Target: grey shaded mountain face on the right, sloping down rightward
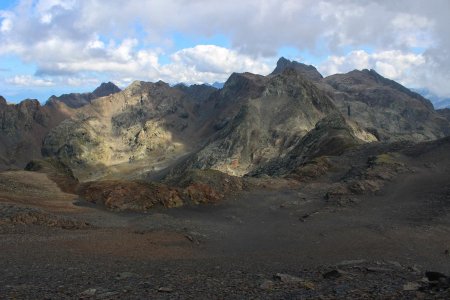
(385,108)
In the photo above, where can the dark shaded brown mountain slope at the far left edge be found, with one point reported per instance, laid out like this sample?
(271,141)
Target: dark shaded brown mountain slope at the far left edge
(22,129)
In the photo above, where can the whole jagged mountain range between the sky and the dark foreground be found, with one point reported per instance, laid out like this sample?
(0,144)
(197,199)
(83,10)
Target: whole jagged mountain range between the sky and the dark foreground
(254,126)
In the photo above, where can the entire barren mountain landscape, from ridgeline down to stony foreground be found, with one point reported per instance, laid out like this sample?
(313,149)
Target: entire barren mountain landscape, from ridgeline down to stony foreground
(290,185)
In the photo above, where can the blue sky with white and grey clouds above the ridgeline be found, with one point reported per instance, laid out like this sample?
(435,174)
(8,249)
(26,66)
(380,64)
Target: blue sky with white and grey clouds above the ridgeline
(55,46)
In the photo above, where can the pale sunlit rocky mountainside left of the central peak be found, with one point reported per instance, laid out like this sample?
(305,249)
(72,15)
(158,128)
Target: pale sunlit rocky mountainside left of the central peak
(146,126)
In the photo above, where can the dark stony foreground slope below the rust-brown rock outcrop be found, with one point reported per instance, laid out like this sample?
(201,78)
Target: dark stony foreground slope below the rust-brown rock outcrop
(265,243)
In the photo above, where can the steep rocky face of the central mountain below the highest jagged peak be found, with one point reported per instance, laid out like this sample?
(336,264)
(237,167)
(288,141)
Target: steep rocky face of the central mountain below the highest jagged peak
(269,125)
